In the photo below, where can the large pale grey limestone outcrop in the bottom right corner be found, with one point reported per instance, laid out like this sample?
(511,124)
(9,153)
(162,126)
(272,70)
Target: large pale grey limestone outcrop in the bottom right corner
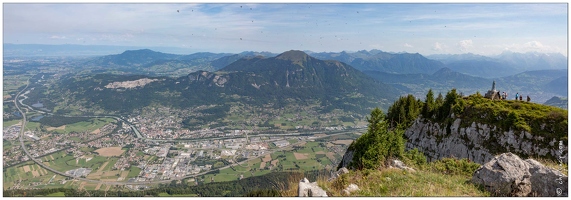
(509,175)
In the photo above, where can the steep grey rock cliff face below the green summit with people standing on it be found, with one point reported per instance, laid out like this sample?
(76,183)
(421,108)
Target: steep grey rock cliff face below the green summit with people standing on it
(477,141)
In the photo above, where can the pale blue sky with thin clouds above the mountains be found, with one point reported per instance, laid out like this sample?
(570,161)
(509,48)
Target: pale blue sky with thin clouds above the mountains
(427,28)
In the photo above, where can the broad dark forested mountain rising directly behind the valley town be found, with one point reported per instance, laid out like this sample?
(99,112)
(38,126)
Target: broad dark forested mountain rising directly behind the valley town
(290,76)
